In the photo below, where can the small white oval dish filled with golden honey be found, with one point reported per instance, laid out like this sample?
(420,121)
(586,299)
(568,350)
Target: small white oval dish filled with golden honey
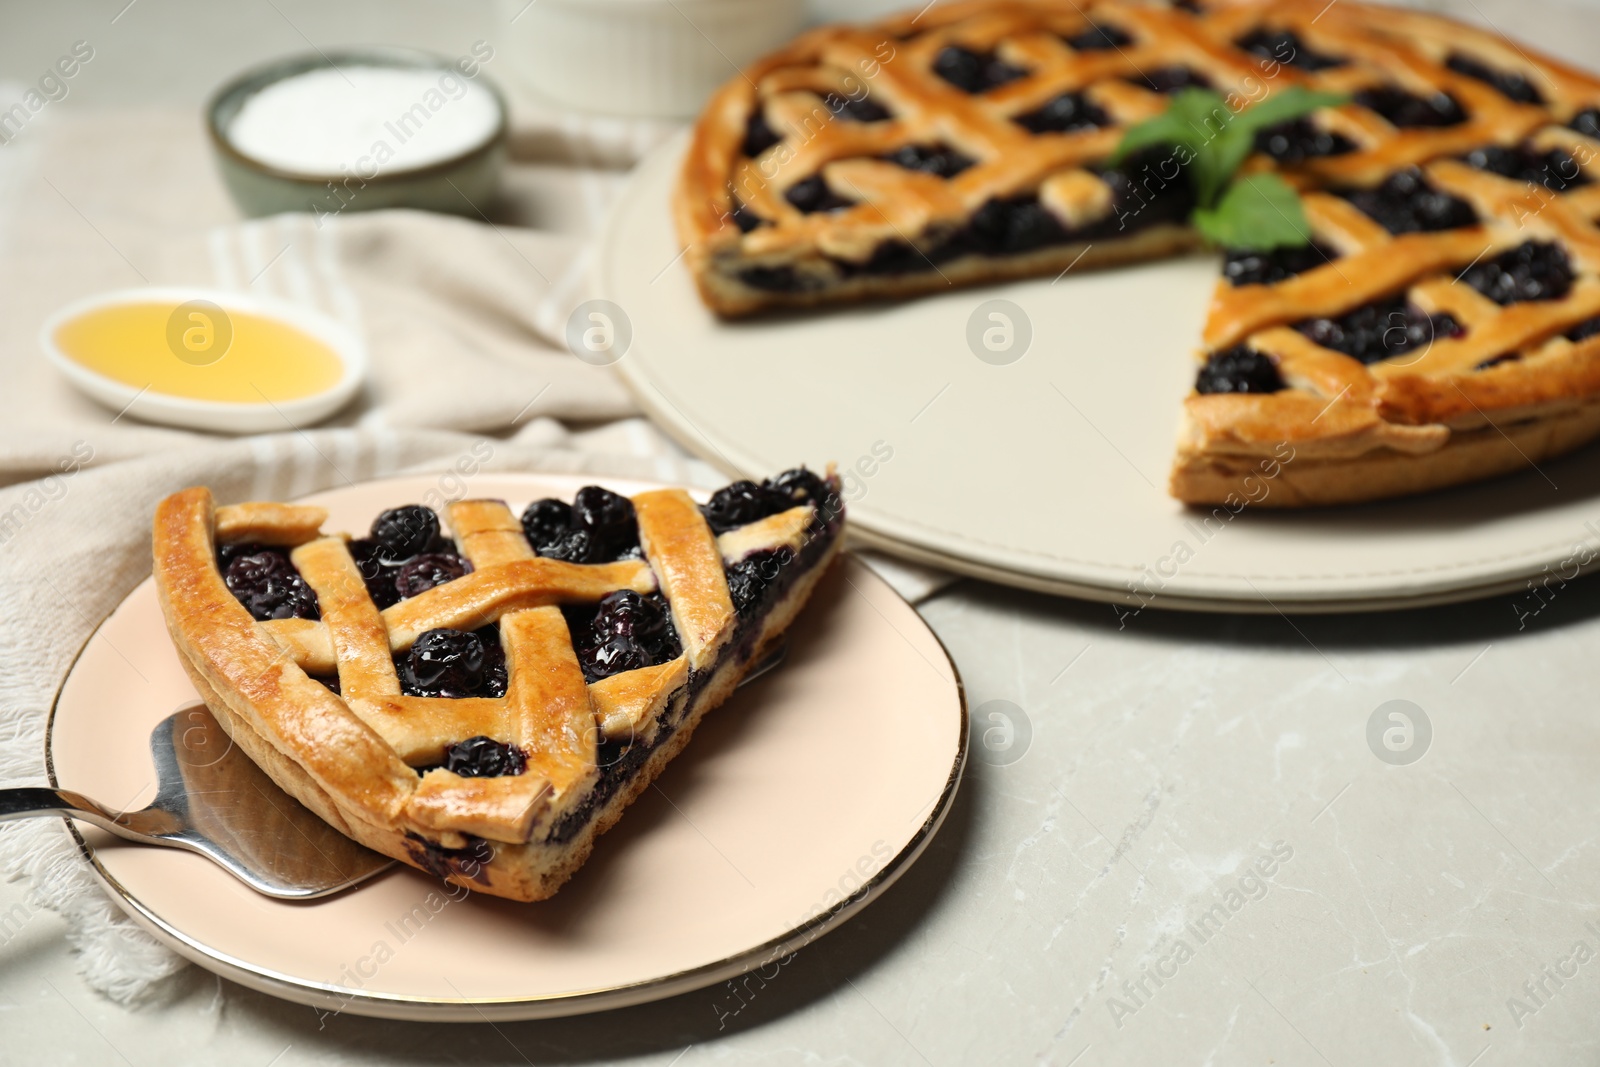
(207,359)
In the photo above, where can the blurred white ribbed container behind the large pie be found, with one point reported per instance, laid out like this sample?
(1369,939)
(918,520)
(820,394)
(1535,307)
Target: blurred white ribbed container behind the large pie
(650,58)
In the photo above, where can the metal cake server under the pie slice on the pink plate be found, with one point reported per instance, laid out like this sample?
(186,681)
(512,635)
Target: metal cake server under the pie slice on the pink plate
(212,799)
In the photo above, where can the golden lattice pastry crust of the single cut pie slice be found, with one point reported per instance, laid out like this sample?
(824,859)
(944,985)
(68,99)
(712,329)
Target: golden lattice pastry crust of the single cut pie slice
(354,756)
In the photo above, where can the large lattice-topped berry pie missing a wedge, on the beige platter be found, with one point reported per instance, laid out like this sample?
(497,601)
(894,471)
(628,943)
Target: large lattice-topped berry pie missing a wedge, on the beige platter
(1438,327)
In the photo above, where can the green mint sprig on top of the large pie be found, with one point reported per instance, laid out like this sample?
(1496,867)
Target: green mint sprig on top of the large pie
(1210,142)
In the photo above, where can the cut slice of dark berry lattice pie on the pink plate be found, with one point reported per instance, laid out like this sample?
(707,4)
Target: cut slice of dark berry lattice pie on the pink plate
(484,703)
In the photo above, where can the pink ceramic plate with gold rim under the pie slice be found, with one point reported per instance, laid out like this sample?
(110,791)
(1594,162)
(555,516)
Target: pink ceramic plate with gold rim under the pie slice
(798,804)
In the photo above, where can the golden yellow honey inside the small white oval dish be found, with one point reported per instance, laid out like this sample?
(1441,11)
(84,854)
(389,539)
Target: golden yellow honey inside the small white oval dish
(201,353)
